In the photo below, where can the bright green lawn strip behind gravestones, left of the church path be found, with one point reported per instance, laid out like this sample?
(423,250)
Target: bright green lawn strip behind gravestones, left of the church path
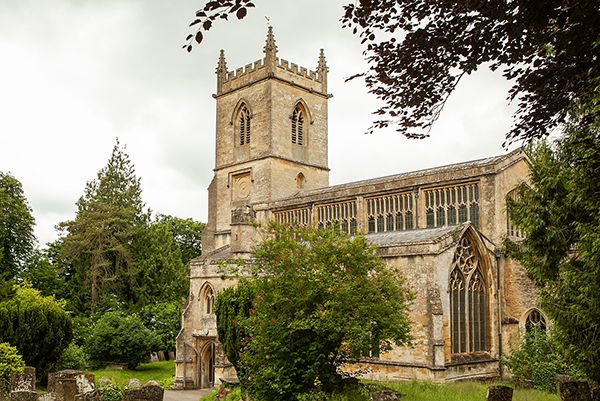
(162,372)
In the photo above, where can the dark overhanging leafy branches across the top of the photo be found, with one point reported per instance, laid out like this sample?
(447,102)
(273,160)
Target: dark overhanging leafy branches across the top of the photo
(419,51)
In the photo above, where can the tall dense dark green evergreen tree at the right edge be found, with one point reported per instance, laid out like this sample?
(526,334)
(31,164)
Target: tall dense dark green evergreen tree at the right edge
(560,213)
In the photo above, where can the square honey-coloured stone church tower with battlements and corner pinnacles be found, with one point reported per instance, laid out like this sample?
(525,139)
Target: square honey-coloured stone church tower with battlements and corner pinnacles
(271,139)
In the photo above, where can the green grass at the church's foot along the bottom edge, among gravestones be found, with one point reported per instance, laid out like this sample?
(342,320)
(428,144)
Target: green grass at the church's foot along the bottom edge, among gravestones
(428,391)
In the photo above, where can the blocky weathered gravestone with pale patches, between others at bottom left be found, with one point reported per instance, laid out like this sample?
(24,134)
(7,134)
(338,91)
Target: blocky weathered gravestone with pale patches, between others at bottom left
(73,385)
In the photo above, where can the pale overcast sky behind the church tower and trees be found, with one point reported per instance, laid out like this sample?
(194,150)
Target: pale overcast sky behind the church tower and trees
(76,74)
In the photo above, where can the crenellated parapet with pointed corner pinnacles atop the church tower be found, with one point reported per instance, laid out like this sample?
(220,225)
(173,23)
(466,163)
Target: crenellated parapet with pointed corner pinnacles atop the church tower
(271,66)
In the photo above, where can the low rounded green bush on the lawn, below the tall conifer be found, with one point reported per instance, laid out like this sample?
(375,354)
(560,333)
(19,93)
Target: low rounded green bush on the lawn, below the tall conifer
(121,338)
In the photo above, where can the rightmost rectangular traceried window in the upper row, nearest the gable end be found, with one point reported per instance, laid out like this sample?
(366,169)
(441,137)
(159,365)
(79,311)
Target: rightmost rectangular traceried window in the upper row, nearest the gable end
(452,205)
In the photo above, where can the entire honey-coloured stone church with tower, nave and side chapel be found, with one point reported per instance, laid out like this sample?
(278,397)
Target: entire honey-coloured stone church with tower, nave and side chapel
(442,227)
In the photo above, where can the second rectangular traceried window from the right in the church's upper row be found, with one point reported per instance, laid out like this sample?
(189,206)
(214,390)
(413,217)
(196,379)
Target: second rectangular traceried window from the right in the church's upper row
(390,213)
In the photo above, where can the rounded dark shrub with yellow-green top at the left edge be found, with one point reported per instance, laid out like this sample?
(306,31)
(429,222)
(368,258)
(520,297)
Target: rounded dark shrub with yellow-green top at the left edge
(37,326)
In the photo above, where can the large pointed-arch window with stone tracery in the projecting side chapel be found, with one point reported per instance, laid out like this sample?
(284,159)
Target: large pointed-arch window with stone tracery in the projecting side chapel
(468,301)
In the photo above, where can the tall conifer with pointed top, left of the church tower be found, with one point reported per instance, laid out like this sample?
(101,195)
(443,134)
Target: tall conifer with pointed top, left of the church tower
(98,244)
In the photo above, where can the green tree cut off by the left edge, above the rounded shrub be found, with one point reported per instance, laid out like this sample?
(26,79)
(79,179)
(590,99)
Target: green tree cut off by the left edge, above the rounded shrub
(17,240)
